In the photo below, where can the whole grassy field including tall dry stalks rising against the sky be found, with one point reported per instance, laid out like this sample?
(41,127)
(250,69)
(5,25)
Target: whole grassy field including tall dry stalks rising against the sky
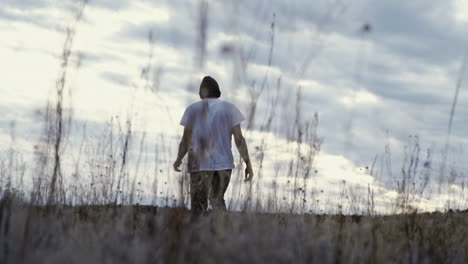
(77,199)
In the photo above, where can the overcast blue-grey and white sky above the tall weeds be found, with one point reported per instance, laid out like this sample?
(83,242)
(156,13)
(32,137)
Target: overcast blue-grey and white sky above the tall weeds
(376,72)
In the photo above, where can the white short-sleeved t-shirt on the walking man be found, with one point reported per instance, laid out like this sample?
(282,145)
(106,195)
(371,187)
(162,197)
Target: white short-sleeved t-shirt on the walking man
(211,121)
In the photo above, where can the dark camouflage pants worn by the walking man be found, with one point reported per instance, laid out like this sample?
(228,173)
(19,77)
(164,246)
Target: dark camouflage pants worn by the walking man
(208,183)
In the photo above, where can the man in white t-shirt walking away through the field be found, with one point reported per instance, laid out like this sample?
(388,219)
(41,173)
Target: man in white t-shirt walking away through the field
(209,125)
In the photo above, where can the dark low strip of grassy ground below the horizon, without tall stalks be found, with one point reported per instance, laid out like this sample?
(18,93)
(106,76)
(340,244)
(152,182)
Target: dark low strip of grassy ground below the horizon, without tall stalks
(146,234)
